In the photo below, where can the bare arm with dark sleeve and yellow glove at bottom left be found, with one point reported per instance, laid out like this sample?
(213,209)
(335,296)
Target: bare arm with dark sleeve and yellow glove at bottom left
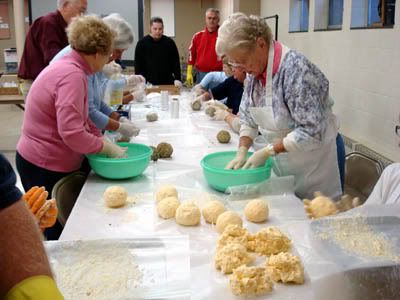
(25,270)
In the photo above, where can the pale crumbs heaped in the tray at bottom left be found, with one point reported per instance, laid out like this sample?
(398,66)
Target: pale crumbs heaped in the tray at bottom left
(102,273)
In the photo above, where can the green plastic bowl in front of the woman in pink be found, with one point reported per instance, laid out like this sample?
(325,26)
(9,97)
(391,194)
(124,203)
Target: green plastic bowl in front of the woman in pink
(120,168)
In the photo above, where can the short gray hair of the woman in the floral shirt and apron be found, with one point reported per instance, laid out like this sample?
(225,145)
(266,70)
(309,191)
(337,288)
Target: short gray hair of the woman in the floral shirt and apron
(241,32)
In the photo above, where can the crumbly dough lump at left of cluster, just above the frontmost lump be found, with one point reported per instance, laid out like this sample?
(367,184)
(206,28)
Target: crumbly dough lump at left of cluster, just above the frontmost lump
(232,256)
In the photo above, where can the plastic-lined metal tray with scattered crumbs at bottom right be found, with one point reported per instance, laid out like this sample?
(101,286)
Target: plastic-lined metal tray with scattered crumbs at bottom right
(336,270)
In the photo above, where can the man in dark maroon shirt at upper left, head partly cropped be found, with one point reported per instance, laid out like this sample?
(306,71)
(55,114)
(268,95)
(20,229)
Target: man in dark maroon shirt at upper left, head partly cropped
(45,38)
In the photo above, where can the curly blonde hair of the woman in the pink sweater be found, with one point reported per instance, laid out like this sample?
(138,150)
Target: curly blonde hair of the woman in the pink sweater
(90,35)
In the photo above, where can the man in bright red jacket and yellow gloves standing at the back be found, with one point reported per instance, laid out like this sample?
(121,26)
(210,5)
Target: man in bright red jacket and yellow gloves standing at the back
(202,53)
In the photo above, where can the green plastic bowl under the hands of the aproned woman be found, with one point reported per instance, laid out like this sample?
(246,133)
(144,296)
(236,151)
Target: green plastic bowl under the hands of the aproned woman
(220,179)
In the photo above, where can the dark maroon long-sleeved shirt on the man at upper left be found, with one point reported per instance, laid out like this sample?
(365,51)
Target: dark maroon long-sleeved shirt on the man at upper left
(45,38)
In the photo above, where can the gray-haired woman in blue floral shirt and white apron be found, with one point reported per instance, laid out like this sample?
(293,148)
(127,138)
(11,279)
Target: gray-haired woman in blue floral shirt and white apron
(287,101)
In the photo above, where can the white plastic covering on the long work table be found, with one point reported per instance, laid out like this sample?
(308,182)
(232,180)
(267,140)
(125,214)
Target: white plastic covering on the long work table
(192,136)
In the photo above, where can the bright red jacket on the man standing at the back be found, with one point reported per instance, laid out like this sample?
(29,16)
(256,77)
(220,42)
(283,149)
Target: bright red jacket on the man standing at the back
(202,51)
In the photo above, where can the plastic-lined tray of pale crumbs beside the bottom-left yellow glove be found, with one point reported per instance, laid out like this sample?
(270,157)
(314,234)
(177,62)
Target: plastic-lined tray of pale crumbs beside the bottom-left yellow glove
(138,268)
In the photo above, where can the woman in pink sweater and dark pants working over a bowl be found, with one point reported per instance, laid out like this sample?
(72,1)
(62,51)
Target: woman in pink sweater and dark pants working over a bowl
(56,131)
